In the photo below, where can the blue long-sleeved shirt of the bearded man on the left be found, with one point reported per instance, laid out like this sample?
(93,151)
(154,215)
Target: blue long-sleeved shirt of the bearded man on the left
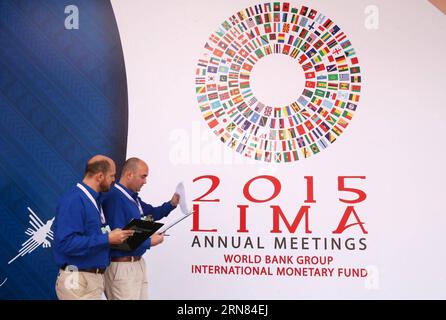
(78,239)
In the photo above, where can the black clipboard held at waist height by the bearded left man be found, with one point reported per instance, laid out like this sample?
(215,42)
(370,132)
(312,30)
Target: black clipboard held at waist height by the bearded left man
(143,230)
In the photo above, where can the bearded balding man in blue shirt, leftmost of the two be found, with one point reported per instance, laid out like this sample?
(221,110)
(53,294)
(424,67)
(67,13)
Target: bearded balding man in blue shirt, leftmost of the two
(82,237)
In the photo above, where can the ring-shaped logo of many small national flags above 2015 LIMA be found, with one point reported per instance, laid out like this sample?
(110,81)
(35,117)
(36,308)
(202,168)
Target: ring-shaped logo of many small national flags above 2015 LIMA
(278,133)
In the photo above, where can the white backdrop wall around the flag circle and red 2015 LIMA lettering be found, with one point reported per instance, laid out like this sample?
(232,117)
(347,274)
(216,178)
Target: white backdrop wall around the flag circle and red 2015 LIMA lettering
(394,140)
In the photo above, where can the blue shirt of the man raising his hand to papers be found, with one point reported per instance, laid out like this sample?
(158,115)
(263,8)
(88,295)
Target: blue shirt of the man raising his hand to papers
(119,210)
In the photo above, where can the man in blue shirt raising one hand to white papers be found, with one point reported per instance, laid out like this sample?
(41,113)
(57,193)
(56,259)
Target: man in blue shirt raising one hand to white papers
(126,277)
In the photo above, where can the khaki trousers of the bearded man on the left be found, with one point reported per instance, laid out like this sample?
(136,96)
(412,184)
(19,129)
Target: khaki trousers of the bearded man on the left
(79,285)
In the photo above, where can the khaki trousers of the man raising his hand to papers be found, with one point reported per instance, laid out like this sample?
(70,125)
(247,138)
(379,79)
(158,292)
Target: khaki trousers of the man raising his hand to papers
(126,281)
